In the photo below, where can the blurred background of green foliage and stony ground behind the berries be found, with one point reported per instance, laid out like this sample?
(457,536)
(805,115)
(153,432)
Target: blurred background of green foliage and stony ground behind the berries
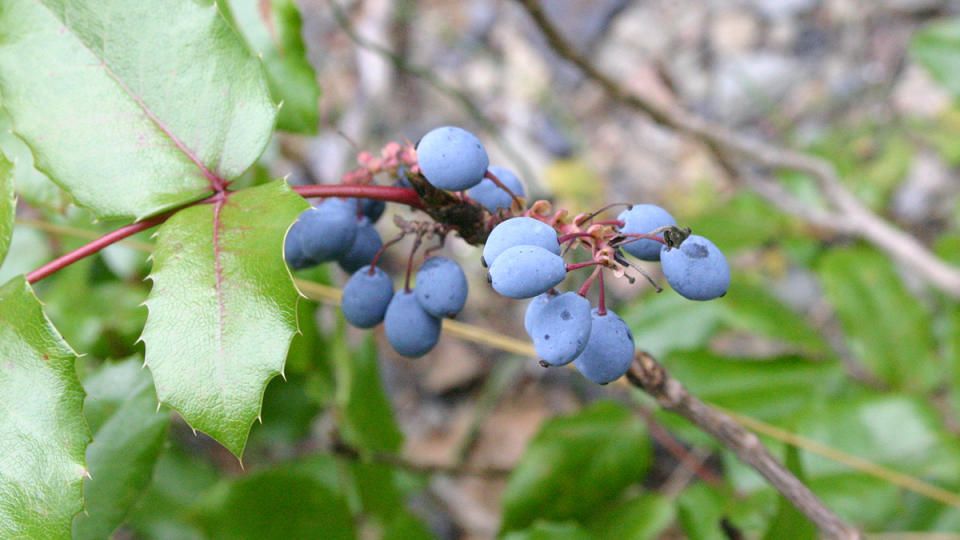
(824,344)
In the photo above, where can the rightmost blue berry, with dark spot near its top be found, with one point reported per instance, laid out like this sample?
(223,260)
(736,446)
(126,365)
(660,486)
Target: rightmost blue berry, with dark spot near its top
(696,269)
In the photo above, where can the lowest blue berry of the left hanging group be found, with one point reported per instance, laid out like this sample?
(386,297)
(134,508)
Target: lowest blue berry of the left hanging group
(410,329)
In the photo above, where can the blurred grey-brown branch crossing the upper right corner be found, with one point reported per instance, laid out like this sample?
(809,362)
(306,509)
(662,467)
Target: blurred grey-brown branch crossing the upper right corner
(850,216)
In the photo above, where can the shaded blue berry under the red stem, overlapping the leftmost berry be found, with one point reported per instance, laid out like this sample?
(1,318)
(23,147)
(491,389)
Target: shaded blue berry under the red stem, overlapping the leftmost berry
(325,232)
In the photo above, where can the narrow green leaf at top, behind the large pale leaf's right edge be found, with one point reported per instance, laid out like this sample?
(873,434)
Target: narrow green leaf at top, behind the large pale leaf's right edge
(272,29)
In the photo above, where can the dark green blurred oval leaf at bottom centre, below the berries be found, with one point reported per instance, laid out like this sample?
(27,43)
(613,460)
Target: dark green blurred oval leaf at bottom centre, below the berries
(576,465)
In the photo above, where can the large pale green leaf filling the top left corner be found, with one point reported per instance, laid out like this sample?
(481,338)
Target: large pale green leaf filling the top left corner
(132,109)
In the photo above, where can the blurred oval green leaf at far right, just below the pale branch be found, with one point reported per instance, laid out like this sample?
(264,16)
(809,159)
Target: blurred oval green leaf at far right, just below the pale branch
(886,326)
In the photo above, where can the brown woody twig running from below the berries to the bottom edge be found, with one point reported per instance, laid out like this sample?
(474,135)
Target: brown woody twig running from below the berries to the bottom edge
(650,376)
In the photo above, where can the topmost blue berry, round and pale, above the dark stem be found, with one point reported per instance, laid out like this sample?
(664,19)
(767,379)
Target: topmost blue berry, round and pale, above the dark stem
(452,158)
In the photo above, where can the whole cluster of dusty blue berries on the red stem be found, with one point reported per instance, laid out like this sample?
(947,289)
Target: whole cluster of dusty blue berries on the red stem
(524,256)
